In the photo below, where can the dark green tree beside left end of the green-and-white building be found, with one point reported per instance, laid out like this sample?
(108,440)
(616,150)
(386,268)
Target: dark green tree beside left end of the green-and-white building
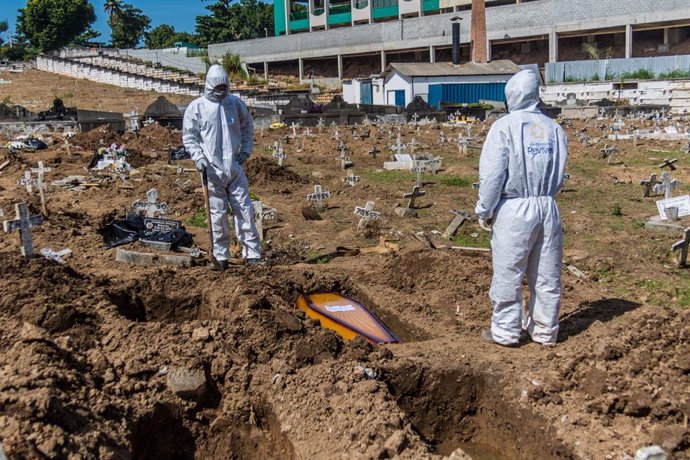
(234,21)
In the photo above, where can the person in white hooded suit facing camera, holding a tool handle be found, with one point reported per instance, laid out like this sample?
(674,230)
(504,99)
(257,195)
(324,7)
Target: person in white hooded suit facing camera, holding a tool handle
(218,133)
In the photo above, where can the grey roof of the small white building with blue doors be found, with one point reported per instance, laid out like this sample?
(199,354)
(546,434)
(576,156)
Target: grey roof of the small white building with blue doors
(446,69)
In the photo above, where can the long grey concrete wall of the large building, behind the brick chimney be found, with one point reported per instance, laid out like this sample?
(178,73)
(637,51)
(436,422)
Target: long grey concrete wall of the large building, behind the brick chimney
(530,19)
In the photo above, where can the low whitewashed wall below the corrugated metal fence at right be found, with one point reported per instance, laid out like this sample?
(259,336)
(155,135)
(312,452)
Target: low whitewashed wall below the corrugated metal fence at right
(675,93)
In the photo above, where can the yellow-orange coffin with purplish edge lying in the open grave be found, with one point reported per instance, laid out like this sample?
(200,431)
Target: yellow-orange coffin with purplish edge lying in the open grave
(345,316)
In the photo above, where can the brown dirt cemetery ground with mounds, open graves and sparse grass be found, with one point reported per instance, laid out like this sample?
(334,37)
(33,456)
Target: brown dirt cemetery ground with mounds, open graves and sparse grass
(100,358)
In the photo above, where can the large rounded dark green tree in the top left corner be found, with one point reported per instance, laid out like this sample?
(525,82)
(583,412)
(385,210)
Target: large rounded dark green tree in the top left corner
(51,24)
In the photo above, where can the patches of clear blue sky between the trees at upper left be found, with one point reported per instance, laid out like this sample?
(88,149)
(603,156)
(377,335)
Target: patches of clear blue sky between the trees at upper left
(181,14)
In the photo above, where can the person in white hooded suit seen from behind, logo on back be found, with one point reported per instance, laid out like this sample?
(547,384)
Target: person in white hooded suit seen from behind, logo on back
(520,170)
